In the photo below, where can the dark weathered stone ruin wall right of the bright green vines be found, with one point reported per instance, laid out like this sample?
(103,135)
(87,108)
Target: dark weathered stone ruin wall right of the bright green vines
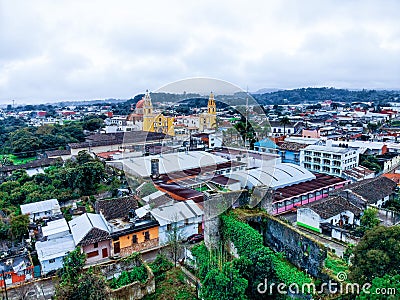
(299,249)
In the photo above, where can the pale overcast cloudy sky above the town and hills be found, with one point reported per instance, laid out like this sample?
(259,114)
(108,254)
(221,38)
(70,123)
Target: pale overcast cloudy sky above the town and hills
(68,50)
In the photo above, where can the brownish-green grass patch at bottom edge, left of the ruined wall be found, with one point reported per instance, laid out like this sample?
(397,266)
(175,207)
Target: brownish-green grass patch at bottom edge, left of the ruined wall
(172,287)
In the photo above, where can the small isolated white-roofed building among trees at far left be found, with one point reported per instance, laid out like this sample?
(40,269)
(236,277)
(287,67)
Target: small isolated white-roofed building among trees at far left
(41,209)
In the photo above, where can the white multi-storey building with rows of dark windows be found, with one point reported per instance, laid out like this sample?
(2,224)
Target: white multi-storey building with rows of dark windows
(328,159)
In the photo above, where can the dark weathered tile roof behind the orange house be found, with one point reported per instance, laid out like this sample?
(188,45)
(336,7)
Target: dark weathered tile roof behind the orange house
(116,208)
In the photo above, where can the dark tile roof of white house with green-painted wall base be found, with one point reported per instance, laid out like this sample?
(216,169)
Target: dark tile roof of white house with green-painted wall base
(332,206)
